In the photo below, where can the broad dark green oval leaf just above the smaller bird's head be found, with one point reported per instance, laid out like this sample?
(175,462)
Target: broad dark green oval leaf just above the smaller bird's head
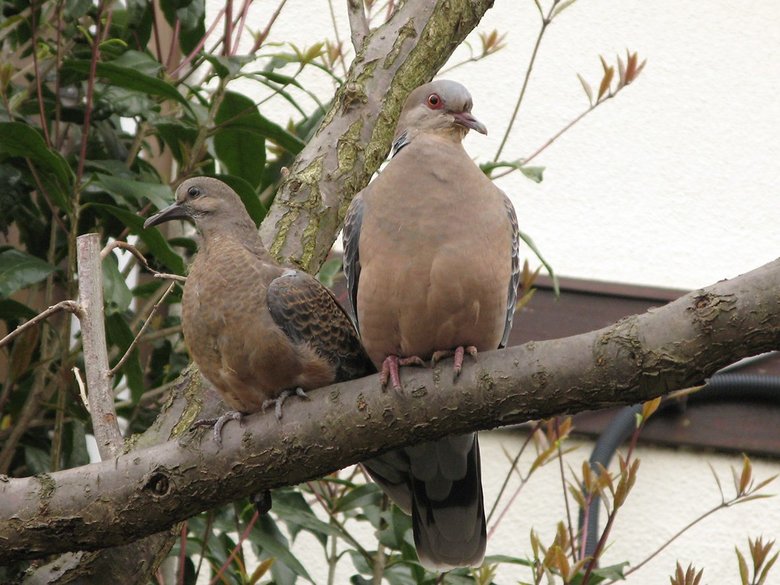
(240,150)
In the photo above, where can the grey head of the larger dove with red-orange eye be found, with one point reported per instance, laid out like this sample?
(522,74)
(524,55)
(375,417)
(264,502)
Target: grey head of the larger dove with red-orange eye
(439,106)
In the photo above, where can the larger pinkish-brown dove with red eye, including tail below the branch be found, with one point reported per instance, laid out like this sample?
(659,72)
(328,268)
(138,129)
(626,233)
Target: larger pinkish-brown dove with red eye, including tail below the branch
(431,258)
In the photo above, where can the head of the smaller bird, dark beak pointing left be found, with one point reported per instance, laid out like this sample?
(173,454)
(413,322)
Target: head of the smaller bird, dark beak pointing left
(208,202)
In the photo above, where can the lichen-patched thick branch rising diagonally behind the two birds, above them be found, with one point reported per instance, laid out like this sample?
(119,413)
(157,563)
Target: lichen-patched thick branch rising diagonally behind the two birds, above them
(395,58)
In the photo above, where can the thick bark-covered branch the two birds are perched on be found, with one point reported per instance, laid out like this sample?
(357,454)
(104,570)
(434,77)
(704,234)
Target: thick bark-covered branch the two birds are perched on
(636,359)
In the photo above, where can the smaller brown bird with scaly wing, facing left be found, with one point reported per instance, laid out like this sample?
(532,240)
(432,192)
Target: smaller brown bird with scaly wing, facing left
(258,332)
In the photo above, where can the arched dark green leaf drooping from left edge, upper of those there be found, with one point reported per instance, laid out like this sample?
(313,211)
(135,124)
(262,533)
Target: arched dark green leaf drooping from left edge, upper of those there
(22,140)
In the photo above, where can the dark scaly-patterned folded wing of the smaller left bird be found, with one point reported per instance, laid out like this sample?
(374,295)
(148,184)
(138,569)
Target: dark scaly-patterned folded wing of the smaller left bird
(307,312)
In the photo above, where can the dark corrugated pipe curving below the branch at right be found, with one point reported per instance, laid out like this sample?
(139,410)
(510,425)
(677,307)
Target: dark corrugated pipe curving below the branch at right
(724,385)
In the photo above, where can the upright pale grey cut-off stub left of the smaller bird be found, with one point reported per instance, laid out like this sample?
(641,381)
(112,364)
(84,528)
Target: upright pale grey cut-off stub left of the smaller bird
(93,332)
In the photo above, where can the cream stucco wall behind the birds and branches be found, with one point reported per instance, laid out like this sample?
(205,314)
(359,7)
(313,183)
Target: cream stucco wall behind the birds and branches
(673,183)
